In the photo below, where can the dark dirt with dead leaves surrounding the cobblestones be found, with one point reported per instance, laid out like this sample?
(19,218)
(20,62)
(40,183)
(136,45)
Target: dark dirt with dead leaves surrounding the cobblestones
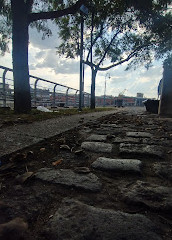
(36,201)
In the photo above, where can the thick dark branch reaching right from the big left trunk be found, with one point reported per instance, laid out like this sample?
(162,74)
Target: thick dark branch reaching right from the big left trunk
(56,14)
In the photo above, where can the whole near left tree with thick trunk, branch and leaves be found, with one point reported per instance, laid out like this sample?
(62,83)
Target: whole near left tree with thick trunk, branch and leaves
(16,16)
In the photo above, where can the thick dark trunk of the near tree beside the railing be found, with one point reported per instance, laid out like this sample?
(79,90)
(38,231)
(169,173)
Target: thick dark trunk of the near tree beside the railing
(20,38)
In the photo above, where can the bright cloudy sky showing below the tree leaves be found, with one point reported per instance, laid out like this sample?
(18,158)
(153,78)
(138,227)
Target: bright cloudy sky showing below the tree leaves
(45,63)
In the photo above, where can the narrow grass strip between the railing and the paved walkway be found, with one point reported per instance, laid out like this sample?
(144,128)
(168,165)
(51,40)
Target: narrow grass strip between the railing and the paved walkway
(8,116)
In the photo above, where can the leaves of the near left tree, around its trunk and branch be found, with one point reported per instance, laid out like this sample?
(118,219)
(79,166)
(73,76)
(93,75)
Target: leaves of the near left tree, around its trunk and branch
(34,6)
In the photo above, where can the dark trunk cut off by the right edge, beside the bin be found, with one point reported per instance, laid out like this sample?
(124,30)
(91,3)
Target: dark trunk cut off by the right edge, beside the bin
(165,108)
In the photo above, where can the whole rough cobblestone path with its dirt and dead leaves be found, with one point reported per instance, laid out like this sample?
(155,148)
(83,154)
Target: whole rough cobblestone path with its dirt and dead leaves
(108,178)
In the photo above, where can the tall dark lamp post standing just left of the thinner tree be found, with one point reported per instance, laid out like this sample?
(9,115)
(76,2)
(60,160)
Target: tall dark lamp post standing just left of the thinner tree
(84,11)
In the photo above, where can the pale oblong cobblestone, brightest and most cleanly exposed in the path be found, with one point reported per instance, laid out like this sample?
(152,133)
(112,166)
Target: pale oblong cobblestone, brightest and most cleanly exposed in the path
(109,164)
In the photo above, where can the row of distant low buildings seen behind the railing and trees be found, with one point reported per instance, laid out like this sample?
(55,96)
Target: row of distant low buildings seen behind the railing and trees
(45,98)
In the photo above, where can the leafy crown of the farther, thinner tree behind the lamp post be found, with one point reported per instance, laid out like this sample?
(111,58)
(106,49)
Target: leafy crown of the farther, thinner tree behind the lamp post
(124,30)
